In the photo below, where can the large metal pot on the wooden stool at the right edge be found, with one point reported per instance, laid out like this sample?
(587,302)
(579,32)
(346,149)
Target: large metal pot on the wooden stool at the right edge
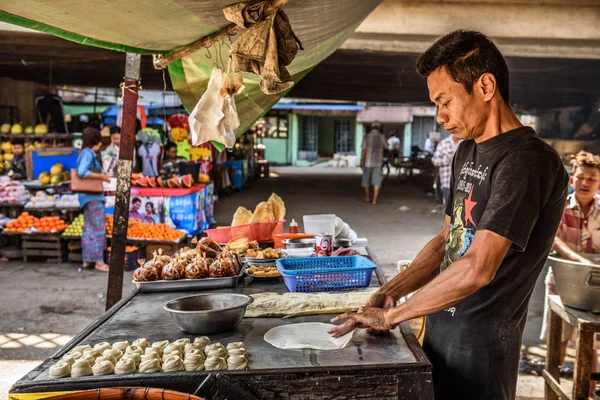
(578,284)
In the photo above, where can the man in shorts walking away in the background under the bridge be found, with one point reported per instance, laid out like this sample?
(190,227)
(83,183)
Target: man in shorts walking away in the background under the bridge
(370,161)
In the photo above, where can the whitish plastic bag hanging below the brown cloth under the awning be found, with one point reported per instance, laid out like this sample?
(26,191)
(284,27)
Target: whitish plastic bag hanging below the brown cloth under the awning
(208,113)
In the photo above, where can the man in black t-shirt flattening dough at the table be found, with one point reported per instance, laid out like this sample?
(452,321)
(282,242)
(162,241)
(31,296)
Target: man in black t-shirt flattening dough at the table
(474,280)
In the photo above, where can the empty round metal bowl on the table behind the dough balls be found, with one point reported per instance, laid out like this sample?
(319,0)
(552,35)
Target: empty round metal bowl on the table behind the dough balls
(205,314)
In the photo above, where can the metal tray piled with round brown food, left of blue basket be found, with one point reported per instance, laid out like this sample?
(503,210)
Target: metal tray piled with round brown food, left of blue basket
(207,266)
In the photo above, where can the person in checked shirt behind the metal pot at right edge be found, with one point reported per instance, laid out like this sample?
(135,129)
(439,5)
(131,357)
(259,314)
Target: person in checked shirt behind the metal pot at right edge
(578,232)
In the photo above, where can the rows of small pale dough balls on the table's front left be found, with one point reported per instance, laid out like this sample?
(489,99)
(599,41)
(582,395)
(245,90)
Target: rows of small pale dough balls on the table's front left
(141,357)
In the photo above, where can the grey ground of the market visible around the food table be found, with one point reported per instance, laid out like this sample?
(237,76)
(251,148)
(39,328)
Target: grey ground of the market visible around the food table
(46,304)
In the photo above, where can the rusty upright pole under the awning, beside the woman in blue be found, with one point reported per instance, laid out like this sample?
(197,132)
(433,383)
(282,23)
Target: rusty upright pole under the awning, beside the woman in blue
(119,239)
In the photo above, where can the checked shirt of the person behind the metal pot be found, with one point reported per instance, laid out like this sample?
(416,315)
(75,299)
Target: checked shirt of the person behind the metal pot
(581,232)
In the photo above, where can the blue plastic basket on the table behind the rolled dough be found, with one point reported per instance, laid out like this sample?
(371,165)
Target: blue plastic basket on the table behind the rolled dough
(322,274)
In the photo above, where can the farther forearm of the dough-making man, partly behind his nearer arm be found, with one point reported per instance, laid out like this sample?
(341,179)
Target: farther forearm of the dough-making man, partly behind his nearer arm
(422,269)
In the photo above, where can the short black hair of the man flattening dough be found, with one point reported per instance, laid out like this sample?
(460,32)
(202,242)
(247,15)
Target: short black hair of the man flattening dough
(466,55)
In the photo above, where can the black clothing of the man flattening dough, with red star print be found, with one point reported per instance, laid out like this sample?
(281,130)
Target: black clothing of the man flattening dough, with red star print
(514,185)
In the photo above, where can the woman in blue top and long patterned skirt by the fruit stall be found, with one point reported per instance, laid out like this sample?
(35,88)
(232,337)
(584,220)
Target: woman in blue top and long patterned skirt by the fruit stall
(93,238)
